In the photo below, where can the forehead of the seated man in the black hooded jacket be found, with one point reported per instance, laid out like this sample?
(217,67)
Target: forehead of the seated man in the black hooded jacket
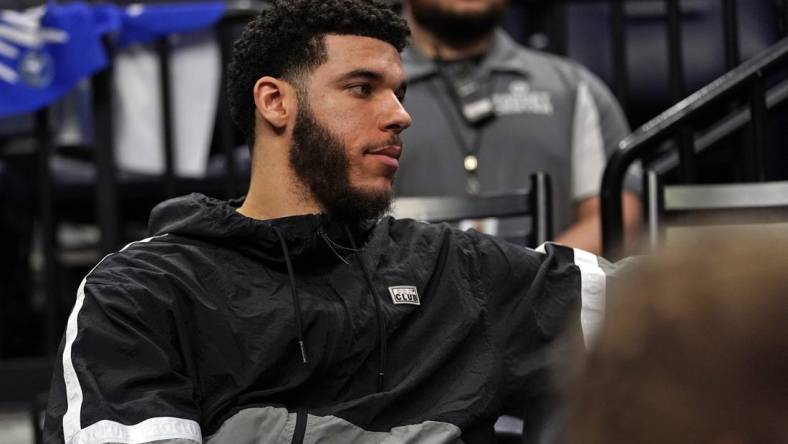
(353,53)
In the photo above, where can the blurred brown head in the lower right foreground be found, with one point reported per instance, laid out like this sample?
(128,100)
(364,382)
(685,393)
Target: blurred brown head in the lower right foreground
(694,349)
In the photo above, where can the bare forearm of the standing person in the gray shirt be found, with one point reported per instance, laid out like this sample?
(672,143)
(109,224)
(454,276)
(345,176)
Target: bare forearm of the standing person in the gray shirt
(586,232)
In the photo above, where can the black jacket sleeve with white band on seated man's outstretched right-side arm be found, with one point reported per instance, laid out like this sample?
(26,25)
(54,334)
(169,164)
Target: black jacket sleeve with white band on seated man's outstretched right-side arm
(534,297)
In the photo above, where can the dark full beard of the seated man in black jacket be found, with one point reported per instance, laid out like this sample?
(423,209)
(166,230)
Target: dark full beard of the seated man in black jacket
(321,164)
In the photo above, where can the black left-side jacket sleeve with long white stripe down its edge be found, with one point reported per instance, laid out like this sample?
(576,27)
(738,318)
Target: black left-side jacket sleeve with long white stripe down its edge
(121,374)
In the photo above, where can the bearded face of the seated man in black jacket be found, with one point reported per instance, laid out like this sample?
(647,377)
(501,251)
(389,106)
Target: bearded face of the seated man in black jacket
(346,141)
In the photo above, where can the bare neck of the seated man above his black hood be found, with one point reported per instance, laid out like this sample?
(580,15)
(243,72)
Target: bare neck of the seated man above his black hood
(274,194)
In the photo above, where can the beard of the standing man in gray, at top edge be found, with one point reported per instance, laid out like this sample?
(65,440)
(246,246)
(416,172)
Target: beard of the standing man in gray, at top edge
(453,27)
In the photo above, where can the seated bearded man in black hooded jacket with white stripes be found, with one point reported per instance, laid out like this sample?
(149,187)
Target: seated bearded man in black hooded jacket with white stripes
(299,313)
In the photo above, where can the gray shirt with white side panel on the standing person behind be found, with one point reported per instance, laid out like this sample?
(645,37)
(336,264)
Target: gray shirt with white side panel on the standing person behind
(551,114)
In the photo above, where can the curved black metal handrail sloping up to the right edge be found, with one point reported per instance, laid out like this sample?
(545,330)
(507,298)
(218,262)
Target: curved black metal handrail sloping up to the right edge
(648,138)
